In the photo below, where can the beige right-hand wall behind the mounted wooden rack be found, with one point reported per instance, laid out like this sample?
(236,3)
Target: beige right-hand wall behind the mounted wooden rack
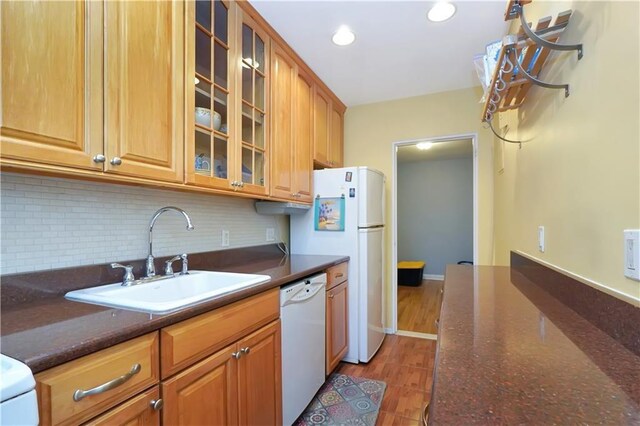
(579,173)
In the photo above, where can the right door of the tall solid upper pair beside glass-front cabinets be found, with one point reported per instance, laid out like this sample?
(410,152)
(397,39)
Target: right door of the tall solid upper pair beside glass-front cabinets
(303,124)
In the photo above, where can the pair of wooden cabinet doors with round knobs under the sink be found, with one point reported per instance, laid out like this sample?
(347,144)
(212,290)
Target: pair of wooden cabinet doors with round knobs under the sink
(239,384)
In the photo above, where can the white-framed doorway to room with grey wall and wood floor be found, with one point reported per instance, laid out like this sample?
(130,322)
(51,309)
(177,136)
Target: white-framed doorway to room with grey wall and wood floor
(434,220)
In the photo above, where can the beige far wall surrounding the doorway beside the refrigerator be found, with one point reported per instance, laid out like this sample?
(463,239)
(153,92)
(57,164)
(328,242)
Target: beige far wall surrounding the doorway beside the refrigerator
(370,131)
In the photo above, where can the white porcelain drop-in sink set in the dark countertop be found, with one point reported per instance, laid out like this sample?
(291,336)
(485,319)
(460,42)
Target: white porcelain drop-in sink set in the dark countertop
(168,295)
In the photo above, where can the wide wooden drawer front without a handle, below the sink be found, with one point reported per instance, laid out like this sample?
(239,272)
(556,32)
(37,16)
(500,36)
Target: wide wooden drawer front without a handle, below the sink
(190,341)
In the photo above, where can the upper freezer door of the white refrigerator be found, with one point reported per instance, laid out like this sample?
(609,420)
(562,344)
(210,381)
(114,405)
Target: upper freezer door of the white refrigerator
(370,197)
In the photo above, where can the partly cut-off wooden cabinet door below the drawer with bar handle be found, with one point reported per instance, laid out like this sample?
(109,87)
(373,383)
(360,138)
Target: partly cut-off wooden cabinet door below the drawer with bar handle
(137,411)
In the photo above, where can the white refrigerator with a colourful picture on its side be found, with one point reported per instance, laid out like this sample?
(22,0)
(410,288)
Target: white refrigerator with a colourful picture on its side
(362,240)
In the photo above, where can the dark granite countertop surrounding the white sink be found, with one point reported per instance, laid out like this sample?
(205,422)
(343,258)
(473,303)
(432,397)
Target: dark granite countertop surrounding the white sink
(39,327)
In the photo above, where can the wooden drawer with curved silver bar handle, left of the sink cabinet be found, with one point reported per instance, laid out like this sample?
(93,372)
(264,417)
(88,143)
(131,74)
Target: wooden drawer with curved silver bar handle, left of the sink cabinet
(129,367)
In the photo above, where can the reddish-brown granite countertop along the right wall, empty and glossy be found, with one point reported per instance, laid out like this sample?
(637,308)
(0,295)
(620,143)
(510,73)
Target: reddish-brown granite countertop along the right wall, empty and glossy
(510,353)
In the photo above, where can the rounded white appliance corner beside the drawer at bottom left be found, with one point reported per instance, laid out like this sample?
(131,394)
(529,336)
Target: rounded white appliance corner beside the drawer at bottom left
(18,401)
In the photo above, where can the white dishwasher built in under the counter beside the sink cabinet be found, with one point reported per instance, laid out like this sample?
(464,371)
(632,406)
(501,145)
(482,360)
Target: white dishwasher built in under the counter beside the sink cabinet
(302,314)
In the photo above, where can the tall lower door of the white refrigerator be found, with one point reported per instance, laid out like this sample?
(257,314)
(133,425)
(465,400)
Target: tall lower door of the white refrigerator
(371,329)
